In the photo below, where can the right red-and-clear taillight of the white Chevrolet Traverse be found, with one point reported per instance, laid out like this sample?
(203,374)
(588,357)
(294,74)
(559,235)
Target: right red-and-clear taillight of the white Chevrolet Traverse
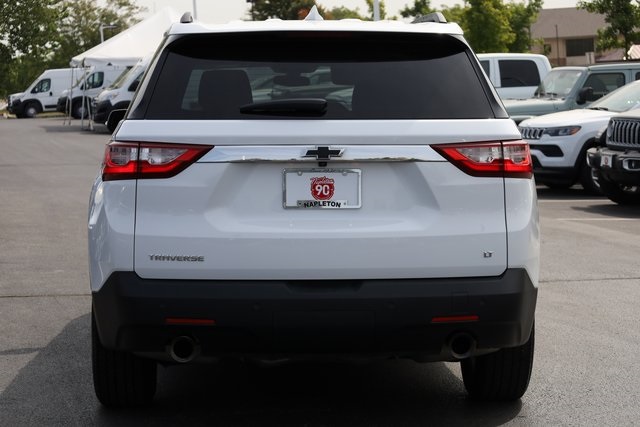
(510,159)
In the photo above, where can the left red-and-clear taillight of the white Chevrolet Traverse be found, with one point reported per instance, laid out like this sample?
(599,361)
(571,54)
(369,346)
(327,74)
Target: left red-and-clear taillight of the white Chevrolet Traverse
(141,160)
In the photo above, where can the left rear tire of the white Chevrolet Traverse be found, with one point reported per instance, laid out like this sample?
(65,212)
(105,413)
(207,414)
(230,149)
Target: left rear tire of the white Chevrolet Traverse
(121,379)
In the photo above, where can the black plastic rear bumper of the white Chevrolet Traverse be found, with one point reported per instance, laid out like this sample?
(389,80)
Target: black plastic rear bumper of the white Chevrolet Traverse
(401,318)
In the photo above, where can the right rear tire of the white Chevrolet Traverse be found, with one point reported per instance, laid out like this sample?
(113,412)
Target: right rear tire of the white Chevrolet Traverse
(503,375)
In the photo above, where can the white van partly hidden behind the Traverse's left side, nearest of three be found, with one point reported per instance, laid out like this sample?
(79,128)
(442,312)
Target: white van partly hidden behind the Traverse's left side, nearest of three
(118,96)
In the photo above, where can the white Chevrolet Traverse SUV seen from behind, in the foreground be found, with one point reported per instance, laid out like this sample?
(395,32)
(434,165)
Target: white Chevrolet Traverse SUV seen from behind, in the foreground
(397,219)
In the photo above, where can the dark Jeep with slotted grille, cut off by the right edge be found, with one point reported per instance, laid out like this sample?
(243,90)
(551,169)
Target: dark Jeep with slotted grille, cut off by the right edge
(617,162)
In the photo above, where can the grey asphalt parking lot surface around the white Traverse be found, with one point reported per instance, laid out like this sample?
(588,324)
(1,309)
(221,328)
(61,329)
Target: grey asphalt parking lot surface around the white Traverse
(587,336)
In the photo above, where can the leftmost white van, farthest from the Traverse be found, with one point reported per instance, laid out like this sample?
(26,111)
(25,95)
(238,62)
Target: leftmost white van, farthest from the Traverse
(42,95)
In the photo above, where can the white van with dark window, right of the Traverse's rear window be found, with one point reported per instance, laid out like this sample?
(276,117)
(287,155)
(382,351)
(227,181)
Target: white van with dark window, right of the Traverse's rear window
(515,75)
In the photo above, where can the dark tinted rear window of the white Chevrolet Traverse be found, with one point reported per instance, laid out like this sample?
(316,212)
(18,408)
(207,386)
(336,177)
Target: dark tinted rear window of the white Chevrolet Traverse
(351,75)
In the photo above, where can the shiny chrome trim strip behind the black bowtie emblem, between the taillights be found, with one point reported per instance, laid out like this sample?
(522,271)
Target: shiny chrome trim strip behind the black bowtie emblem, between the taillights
(296,154)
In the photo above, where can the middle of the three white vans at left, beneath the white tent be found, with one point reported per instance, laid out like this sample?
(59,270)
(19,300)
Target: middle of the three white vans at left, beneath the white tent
(99,78)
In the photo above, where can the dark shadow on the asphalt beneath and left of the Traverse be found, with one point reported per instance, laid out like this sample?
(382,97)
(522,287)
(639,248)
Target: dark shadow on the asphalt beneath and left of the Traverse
(56,388)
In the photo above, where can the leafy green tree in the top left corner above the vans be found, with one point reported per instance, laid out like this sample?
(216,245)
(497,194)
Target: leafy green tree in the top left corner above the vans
(27,31)
